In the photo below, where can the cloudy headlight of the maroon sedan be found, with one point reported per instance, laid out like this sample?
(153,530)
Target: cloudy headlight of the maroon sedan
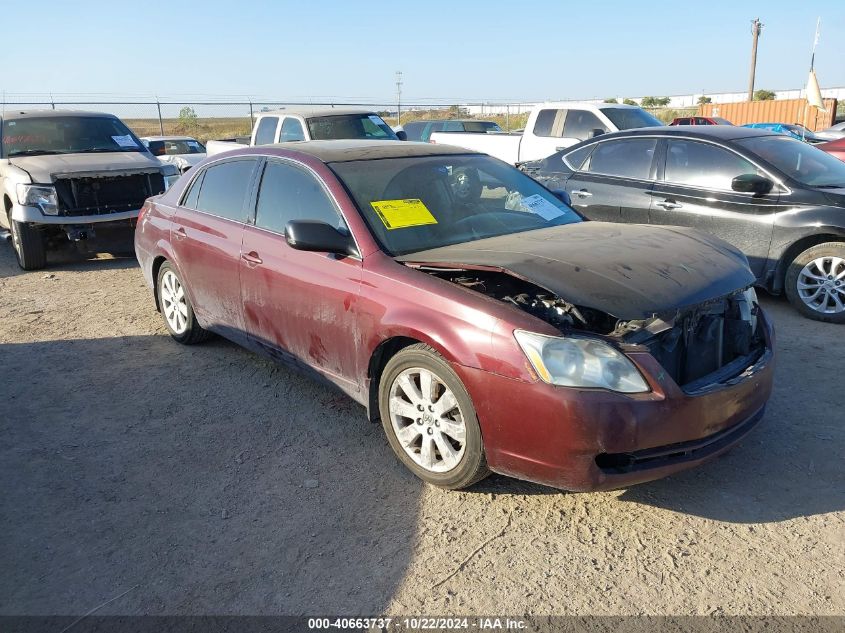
(580,362)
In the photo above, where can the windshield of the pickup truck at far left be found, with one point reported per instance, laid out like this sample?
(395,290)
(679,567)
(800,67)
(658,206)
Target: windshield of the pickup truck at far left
(67,135)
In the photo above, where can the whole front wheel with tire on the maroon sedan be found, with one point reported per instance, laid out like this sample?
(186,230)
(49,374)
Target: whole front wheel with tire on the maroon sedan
(429,419)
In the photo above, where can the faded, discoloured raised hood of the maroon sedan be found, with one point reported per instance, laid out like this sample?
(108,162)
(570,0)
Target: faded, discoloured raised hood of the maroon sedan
(628,271)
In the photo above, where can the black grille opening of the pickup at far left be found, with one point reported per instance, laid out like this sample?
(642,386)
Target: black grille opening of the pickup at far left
(106,194)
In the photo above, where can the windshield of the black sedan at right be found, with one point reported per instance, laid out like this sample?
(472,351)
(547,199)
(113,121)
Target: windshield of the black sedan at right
(802,162)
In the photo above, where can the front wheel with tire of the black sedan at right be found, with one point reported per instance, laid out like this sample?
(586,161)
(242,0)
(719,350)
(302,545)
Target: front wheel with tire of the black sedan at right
(815,282)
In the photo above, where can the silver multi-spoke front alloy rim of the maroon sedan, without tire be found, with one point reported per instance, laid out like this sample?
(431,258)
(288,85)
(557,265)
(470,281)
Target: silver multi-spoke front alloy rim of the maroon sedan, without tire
(427,420)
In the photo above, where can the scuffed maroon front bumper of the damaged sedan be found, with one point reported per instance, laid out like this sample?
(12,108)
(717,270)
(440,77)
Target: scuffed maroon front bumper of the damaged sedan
(586,440)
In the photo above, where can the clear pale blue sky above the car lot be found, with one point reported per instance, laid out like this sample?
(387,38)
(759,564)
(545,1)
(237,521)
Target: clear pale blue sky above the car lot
(448,50)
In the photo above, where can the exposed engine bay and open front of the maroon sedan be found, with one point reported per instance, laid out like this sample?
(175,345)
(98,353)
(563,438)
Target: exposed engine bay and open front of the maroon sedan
(717,339)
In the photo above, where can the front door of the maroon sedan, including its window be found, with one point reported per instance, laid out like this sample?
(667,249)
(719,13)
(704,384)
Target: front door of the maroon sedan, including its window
(299,306)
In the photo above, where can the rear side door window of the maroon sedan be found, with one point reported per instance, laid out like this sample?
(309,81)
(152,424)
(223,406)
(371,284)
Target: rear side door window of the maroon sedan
(224,189)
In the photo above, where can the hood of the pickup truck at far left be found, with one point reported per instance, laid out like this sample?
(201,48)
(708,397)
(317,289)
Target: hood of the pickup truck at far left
(44,168)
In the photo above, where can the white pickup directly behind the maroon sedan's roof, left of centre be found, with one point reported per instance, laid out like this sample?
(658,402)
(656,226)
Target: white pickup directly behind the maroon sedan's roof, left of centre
(311,124)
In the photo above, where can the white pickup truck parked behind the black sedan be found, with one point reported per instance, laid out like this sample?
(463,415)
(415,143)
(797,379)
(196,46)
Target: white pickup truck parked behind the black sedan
(551,127)
